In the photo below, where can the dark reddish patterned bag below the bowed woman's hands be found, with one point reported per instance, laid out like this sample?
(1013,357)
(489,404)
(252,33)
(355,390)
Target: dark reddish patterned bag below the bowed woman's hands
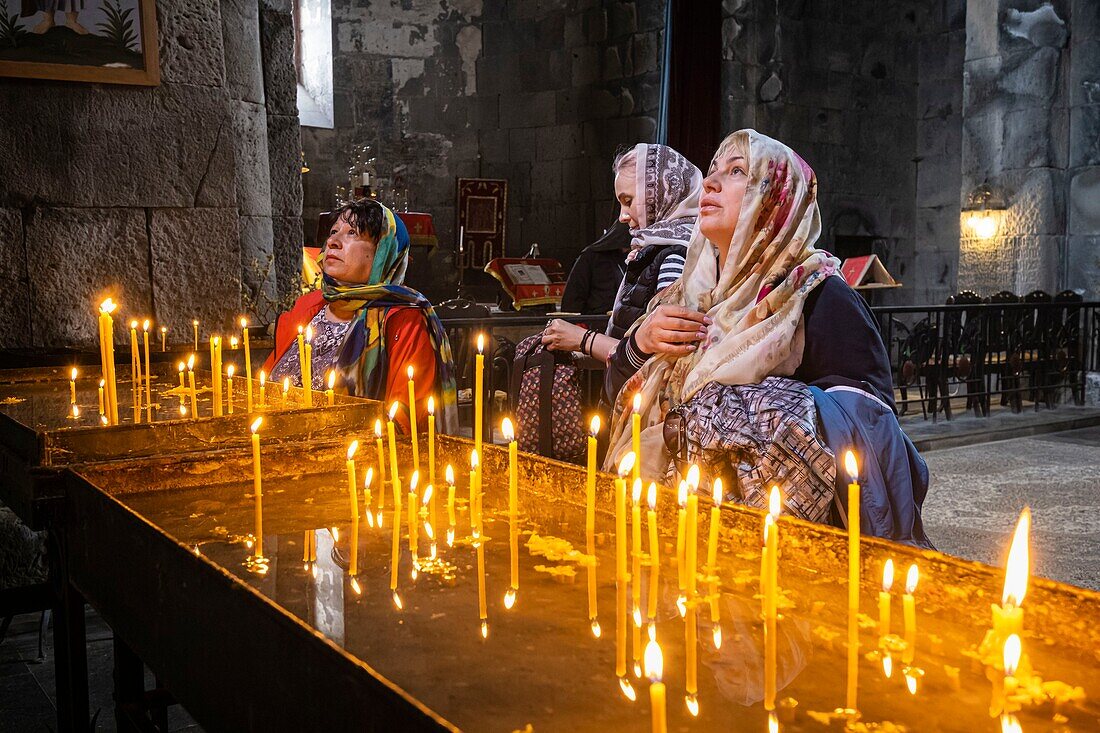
(546,398)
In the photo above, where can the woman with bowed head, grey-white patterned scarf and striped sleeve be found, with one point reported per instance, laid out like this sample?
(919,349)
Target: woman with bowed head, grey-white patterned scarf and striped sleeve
(658,193)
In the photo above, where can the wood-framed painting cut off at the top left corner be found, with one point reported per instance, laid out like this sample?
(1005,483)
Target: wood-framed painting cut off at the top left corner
(107,41)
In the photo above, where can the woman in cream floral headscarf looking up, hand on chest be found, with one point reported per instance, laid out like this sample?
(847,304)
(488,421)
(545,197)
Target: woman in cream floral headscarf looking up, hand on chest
(762,365)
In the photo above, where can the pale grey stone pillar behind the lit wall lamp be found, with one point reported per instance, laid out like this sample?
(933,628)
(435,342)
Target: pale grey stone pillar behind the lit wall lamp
(1015,137)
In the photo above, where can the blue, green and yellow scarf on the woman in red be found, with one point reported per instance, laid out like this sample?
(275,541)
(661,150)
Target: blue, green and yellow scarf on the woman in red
(361,363)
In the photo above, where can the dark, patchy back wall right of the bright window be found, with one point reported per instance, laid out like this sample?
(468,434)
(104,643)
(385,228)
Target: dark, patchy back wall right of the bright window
(537,92)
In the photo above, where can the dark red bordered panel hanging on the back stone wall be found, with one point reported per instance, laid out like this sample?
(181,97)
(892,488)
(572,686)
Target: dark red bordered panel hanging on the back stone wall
(483,205)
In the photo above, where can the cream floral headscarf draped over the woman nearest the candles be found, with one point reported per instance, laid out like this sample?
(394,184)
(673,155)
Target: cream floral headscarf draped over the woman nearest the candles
(756,302)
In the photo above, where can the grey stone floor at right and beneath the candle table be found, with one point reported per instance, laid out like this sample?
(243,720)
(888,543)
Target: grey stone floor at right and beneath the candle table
(977,491)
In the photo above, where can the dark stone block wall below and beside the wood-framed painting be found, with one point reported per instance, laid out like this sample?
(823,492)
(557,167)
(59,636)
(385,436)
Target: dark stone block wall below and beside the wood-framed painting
(156,195)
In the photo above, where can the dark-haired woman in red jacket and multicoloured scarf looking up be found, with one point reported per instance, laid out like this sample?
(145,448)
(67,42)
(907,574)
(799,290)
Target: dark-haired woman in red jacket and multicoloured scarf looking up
(369,326)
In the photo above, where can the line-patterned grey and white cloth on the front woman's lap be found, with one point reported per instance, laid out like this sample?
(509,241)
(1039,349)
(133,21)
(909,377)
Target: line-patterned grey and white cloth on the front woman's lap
(755,436)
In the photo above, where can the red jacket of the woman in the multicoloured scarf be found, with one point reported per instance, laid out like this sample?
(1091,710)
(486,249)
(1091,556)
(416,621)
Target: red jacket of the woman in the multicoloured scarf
(408,343)
